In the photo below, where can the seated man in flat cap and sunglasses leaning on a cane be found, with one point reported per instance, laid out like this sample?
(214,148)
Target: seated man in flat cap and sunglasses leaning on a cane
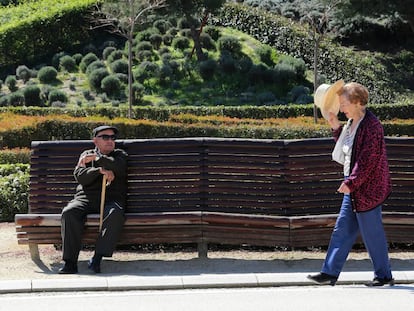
(101,174)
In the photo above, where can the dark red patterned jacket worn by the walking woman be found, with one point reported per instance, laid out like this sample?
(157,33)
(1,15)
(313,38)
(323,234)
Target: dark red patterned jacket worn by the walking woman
(369,180)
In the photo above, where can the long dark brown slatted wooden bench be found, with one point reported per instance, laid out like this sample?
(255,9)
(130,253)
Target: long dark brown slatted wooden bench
(216,191)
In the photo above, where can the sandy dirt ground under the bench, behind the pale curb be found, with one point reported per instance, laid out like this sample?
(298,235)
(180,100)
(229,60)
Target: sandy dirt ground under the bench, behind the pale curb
(16,262)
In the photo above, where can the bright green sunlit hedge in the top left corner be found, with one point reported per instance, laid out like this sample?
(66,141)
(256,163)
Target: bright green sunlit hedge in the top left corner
(30,29)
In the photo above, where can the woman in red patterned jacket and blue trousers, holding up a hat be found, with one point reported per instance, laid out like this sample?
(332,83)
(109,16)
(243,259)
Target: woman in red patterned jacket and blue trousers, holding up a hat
(360,148)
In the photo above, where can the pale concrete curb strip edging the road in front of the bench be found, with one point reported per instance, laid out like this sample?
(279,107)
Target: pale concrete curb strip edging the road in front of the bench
(120,283)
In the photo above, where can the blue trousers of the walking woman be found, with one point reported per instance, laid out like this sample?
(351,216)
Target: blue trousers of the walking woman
(343,237)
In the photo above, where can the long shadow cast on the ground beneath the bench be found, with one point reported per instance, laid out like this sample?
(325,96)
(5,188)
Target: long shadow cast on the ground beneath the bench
(198,266)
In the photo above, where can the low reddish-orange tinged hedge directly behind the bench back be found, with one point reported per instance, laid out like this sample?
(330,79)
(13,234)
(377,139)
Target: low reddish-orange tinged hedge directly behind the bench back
(70,129)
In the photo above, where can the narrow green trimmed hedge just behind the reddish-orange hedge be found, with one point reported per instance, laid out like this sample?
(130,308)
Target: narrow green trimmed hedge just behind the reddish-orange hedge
(163,113)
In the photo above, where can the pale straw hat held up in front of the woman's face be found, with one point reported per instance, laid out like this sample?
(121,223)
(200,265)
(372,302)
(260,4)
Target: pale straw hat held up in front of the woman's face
(327,99)
